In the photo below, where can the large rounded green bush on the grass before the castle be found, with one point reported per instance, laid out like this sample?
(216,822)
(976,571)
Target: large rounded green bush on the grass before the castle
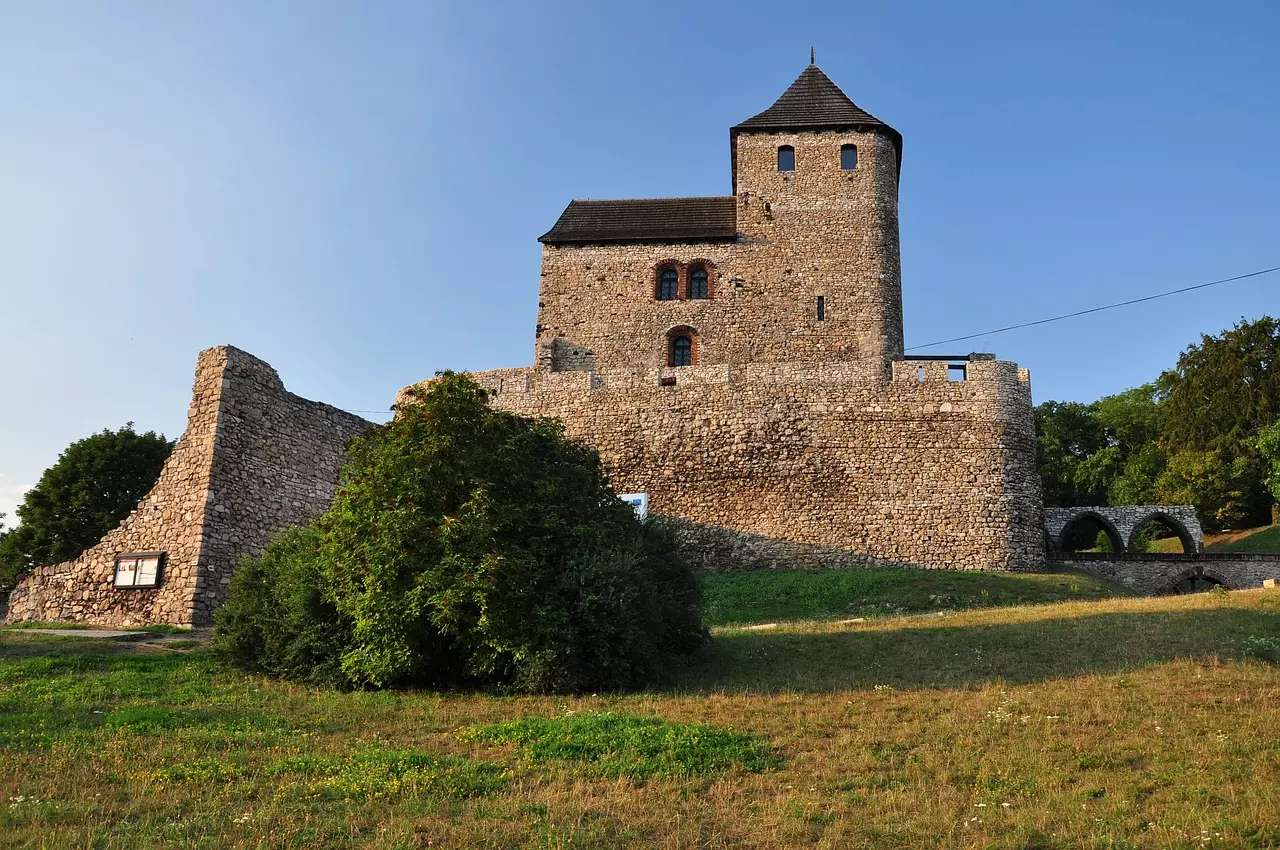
(469,547)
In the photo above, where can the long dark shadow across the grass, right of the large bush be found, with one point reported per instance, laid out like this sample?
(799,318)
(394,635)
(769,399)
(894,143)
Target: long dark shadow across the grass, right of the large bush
(938,656)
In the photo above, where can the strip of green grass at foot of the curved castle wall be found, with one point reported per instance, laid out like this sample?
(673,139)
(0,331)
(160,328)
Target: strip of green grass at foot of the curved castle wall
(735,598)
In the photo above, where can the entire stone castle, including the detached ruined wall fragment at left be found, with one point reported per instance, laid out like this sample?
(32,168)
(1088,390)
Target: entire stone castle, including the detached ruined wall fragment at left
(737,359)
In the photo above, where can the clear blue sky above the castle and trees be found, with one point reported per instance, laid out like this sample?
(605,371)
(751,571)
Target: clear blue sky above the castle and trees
(354,191)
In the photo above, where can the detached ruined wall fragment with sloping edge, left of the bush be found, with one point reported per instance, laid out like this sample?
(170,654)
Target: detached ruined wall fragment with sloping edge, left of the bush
(254,460)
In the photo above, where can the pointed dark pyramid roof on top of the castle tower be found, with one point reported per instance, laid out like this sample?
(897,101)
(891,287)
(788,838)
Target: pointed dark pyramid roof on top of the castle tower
(816,103)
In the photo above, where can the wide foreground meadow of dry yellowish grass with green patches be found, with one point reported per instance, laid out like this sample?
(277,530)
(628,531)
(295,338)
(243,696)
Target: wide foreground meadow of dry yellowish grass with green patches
(1113,723)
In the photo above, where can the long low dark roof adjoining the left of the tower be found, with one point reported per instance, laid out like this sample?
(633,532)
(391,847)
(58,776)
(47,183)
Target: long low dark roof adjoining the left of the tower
(664,220)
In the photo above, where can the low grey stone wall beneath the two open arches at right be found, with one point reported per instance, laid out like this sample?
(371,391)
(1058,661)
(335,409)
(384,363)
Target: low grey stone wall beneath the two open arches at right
(1158,574)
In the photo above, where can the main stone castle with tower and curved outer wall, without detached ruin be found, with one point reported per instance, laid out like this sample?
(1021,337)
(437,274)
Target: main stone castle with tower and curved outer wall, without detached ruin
(797,436)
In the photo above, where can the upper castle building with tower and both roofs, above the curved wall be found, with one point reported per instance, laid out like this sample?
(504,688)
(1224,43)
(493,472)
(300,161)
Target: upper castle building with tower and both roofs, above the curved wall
(801,264)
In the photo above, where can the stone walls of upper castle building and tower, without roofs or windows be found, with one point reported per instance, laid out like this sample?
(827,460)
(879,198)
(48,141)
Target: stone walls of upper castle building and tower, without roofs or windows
(817,231)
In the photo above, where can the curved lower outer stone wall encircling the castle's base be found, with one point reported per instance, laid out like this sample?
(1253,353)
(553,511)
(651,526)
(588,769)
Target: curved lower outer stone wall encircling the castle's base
(808,465)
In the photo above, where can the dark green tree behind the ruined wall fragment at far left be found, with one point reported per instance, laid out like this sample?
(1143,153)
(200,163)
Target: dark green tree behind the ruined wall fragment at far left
(95,483)
